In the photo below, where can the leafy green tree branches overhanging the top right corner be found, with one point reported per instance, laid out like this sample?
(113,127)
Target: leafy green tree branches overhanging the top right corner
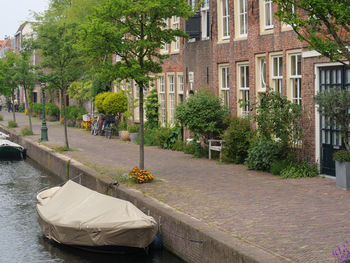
(323,24)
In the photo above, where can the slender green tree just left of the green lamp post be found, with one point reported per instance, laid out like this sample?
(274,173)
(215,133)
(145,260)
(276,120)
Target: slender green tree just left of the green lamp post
(25,76)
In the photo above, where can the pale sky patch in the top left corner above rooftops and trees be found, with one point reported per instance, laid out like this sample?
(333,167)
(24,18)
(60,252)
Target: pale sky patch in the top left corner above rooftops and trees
(14,12)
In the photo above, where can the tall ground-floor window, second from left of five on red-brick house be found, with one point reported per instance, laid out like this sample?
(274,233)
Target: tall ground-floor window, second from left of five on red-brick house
(243,86)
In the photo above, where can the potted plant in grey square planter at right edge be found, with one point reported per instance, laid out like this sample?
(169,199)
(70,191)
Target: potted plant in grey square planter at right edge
(334,104)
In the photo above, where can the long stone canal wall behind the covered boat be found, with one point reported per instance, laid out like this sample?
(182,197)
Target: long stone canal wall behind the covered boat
(190,239)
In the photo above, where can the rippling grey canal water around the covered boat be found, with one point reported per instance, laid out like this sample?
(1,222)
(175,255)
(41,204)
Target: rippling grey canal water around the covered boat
(21,239)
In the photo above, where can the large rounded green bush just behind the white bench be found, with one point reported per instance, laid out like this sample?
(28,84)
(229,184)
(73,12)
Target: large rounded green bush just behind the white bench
(204,114)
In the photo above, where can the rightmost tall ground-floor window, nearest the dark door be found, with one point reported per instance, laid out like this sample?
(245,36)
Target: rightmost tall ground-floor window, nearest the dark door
(295,77)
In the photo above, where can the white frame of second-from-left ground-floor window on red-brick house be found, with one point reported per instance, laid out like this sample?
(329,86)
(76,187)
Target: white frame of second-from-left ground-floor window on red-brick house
(243,87)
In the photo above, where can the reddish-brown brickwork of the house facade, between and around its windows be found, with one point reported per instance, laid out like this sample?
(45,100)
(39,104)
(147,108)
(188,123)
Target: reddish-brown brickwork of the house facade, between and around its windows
(203,57)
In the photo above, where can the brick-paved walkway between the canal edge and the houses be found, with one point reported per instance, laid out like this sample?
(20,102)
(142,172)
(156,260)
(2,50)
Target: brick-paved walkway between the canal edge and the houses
(302,220)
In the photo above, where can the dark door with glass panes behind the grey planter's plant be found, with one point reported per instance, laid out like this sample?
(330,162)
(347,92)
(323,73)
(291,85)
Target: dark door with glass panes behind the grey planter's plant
(331,139)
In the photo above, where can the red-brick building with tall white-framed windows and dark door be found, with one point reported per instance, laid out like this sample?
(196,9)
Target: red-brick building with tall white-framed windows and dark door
(237,49)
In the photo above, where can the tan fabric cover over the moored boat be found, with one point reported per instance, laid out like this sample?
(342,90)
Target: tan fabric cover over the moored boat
(76,215)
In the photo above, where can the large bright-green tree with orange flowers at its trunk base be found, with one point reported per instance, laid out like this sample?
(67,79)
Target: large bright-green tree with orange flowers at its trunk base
(134,30)
